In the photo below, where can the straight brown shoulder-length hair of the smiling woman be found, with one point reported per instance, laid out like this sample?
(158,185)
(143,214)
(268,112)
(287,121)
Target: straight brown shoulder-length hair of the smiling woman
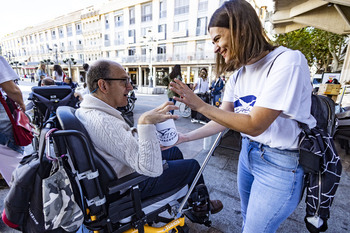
(248,39)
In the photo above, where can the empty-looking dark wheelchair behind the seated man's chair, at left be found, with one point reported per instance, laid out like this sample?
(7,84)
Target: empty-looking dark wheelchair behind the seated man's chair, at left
(44,102)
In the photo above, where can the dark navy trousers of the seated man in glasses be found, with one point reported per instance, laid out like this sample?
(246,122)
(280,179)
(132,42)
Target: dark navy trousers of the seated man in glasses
(179,173)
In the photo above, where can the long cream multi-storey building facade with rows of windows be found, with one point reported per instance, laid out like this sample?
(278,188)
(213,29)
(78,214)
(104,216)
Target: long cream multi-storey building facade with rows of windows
(147,37)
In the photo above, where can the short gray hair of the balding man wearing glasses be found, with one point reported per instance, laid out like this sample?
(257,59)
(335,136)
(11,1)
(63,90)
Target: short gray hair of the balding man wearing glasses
(99,70)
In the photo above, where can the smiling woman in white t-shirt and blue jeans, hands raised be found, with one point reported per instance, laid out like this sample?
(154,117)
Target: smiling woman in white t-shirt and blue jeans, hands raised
(265,99)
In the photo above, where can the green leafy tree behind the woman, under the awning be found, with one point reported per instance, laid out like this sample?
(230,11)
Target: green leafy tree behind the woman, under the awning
(322,49)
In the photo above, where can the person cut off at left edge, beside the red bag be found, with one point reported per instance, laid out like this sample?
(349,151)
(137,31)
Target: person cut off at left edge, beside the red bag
(10,152)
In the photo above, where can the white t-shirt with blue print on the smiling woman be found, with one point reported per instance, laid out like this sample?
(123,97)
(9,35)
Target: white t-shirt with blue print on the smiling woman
(287,88)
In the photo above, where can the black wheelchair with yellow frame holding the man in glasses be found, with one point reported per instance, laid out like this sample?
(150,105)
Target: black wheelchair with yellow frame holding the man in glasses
(112,204)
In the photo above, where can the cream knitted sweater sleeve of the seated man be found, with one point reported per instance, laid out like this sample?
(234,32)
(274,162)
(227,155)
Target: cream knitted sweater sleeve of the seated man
(114,137)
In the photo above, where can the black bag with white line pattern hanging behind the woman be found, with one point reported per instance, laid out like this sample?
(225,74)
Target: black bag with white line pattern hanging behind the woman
(321,163)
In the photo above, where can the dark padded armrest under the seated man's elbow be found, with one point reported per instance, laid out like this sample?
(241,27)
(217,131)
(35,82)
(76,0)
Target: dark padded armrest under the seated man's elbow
(126,182)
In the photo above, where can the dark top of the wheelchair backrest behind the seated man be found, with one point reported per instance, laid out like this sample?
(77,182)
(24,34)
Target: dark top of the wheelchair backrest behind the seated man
(52,92)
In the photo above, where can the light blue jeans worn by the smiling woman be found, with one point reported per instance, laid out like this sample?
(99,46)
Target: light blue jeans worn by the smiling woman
(270,185)
